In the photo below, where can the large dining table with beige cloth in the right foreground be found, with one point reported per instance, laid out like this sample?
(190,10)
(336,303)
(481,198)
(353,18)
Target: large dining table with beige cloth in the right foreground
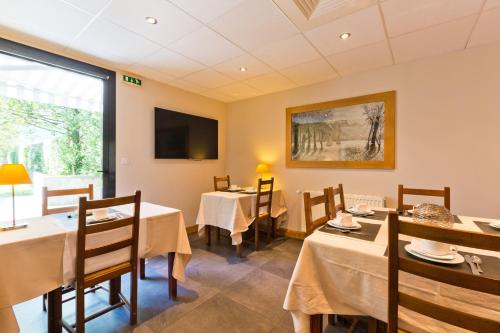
(347,274)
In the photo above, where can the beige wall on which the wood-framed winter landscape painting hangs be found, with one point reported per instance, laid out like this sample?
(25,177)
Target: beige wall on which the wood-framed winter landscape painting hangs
(447,133)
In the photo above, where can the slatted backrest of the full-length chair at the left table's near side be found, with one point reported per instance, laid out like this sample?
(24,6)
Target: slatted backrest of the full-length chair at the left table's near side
(85,229)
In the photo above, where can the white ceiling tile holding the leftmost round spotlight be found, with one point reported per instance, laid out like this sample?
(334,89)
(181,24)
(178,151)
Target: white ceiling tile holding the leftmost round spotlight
(173,23)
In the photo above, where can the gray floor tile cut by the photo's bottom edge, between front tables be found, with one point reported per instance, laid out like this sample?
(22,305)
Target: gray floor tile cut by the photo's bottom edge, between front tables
(221,315)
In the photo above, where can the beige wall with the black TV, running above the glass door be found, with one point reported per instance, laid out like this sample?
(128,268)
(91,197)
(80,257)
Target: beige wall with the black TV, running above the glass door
(173,183)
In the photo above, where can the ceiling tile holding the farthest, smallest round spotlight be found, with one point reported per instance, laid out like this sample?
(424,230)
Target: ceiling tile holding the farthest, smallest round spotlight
(254,67)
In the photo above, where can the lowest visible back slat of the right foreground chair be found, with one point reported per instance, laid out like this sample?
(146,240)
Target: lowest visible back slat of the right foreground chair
(447,315)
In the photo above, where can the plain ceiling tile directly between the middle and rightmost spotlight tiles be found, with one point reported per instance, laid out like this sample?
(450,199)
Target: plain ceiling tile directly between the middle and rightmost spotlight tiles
(286,53)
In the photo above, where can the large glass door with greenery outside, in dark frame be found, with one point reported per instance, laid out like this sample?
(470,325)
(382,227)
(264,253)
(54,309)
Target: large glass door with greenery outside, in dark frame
(56,122)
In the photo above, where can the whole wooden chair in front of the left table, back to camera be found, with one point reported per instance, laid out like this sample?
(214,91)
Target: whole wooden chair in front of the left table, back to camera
(113,273)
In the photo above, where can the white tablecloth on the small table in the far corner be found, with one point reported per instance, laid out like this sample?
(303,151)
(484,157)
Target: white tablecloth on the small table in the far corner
(233,211)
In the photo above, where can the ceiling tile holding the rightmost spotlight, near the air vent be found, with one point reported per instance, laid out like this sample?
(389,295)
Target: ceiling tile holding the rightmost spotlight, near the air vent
(365,27)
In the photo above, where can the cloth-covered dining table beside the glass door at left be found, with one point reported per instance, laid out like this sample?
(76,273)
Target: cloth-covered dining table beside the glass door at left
(41,258)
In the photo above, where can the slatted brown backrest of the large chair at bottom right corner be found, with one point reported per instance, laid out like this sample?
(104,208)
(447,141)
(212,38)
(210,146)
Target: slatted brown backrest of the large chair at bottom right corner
(442,274)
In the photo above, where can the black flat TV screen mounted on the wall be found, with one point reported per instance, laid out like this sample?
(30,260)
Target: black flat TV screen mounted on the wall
(184,136)
